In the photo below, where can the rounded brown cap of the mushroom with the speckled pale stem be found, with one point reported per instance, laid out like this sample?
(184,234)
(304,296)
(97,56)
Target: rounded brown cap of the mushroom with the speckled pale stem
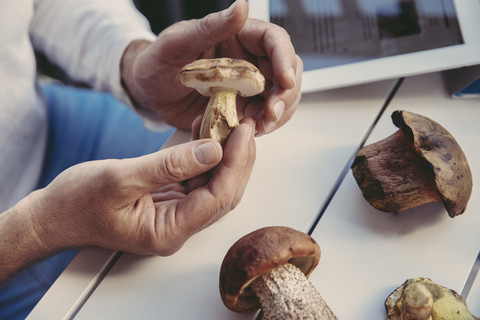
(257,253)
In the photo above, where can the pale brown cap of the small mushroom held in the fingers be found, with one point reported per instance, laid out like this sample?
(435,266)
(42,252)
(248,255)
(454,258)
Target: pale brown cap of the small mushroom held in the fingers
(238,74)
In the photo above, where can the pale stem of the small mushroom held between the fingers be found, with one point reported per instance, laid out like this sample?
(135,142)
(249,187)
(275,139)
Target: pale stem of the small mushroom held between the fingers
(221,114)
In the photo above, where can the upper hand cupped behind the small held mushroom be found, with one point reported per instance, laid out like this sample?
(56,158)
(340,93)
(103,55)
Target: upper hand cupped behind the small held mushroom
(150,71)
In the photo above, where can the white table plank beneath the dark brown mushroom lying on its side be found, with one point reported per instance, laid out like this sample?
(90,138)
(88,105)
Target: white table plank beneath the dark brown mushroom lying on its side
(368,253)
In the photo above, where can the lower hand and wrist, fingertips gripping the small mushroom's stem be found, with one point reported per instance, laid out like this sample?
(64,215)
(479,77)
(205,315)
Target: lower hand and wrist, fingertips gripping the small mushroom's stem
(146,205)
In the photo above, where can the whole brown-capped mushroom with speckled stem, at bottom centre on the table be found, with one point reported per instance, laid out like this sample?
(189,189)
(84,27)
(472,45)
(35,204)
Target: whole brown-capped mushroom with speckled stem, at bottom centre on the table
(268,269)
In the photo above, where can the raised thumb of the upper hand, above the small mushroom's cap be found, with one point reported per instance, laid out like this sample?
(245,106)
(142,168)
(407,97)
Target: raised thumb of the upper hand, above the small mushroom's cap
(206,33)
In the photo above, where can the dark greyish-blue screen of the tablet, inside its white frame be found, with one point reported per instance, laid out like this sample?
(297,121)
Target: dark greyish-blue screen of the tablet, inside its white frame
(328,33)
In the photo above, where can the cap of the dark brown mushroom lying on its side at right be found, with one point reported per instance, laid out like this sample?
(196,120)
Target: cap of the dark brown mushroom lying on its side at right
(442,153)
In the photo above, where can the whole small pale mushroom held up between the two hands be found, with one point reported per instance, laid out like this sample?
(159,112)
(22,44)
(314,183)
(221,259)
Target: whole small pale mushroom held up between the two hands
(221,79)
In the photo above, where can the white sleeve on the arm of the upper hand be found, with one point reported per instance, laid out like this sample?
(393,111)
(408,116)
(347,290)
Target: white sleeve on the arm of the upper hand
(87,38)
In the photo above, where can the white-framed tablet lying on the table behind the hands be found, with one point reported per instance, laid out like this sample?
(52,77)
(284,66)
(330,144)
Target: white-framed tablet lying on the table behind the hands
(346,42)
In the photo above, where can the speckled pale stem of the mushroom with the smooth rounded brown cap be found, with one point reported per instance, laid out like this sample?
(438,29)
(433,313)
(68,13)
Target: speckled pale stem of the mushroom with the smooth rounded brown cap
(285,293)
